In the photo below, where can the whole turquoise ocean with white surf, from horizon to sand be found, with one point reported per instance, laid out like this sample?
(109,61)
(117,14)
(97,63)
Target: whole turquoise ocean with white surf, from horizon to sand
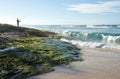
(90,36)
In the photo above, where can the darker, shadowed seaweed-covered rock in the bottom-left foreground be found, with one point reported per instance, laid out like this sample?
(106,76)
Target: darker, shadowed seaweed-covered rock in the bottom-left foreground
(20,63)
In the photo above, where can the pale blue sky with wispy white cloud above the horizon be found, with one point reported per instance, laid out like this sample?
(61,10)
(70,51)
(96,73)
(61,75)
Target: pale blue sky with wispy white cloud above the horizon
(49,12)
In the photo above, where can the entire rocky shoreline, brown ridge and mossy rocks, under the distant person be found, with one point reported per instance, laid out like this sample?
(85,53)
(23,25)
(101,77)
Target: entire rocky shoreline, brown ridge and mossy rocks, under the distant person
(35,52)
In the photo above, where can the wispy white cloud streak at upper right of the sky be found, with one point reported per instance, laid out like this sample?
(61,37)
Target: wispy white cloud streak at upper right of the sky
(100,7)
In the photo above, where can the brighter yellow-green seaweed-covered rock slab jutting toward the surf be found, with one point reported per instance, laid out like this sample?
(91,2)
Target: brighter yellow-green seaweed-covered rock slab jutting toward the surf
(53,51)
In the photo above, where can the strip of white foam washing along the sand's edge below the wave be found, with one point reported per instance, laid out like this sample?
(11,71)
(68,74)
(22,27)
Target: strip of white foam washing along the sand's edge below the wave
(91,44)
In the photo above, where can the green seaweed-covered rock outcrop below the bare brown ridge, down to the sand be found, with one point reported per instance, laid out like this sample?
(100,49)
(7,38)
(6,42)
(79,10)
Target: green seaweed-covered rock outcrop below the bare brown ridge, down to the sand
(35,56)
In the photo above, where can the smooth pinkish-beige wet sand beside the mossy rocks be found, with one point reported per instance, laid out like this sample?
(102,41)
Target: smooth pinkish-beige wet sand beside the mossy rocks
(97,64)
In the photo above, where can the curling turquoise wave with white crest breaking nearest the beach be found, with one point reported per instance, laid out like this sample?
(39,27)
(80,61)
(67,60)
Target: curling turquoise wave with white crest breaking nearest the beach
(92,37)
